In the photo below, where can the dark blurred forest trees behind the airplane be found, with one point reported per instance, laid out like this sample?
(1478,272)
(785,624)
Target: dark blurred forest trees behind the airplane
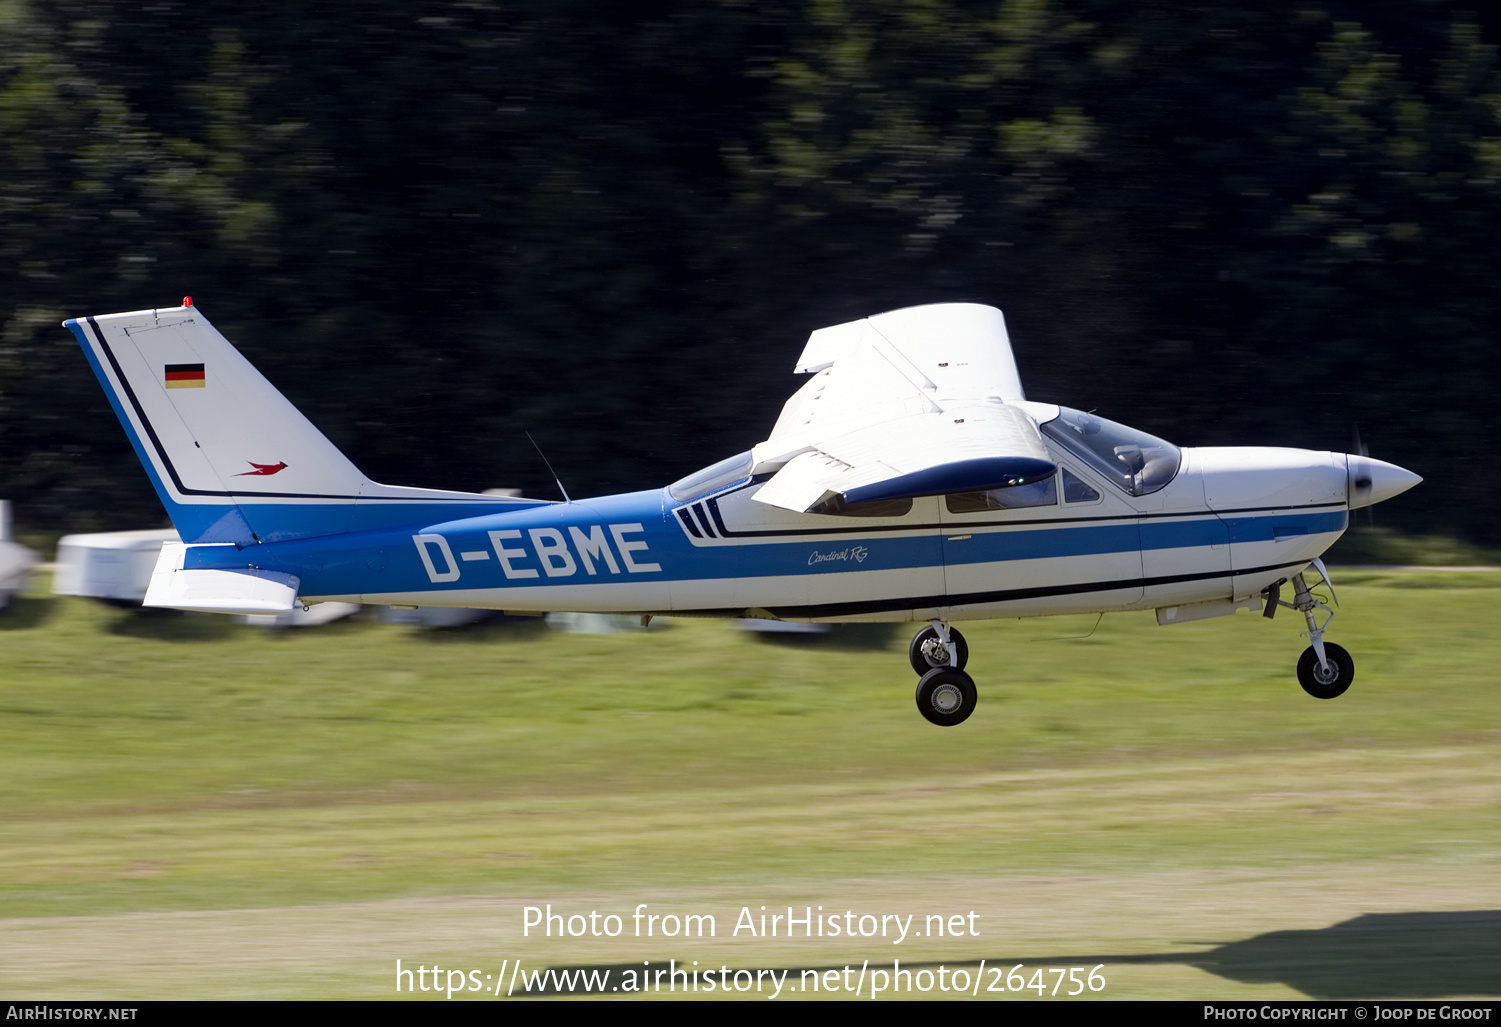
(441,226)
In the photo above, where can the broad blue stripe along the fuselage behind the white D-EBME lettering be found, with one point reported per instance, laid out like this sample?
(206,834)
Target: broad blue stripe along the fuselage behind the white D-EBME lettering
(390,562)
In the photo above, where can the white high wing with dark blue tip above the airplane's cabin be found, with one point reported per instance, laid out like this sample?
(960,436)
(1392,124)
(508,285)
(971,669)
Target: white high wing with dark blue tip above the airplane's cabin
(919,402)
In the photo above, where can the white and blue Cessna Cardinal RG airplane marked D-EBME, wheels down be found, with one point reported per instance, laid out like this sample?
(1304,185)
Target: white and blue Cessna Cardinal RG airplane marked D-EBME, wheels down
(909,480)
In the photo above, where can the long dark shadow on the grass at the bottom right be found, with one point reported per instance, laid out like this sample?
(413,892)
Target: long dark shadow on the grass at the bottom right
(1379,956)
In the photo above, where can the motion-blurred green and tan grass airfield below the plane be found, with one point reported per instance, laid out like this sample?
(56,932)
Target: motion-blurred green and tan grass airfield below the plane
(199,810)
